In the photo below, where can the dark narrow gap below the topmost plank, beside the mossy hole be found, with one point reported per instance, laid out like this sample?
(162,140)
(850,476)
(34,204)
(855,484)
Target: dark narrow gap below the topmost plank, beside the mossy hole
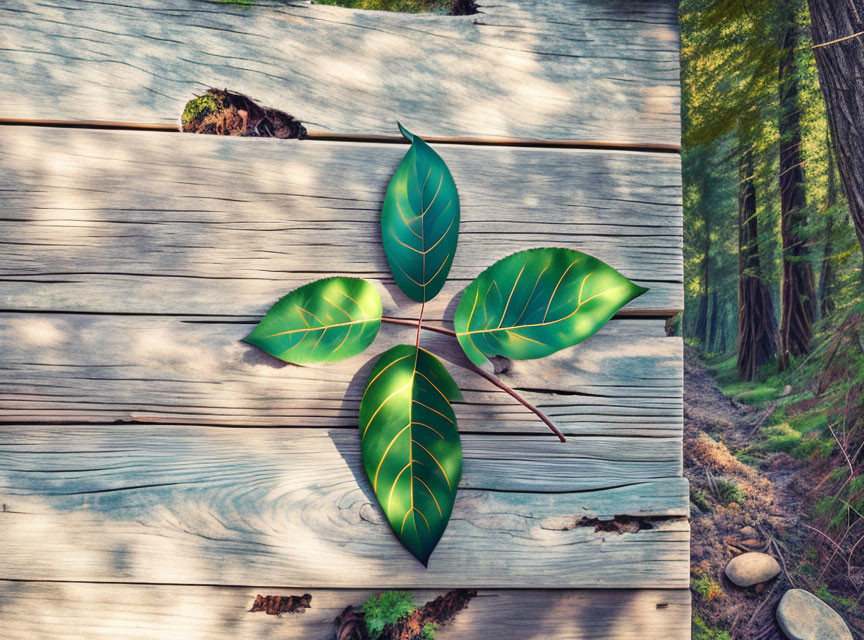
(370,139)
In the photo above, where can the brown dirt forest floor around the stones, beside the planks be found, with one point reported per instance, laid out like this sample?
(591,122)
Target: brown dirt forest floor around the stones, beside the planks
(743,505)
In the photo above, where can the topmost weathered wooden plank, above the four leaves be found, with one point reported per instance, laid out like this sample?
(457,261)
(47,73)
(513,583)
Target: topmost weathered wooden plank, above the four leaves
(521,69)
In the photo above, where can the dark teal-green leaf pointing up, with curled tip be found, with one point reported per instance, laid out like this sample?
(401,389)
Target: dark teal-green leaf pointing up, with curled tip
(420,221)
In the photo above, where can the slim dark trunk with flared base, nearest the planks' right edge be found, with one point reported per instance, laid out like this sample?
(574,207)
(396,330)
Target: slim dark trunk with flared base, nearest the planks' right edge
(757,326)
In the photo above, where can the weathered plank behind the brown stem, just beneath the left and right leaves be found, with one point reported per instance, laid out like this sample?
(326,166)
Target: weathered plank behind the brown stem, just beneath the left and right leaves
(625,380)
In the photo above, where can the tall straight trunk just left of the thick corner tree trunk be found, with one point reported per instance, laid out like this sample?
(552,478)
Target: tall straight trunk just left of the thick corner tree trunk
(798,300)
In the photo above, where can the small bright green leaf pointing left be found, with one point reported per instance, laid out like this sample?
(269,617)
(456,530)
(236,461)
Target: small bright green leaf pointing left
(323,321)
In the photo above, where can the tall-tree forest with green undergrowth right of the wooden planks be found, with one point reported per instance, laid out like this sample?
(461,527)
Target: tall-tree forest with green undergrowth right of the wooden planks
(773,163)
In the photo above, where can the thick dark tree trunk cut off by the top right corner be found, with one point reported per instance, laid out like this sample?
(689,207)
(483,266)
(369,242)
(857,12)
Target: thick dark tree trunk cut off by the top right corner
(838,36)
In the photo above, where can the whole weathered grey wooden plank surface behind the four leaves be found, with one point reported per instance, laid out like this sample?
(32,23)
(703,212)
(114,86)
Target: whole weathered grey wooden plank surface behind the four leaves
(143,446)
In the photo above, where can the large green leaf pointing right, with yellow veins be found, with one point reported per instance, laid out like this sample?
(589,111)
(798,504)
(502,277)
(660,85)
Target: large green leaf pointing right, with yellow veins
(536,302)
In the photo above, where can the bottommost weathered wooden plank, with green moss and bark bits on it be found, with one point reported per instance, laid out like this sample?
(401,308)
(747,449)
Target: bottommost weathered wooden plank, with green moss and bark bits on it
(92,611)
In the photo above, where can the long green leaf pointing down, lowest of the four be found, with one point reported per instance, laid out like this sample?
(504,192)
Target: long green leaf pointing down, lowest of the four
(411,447)
